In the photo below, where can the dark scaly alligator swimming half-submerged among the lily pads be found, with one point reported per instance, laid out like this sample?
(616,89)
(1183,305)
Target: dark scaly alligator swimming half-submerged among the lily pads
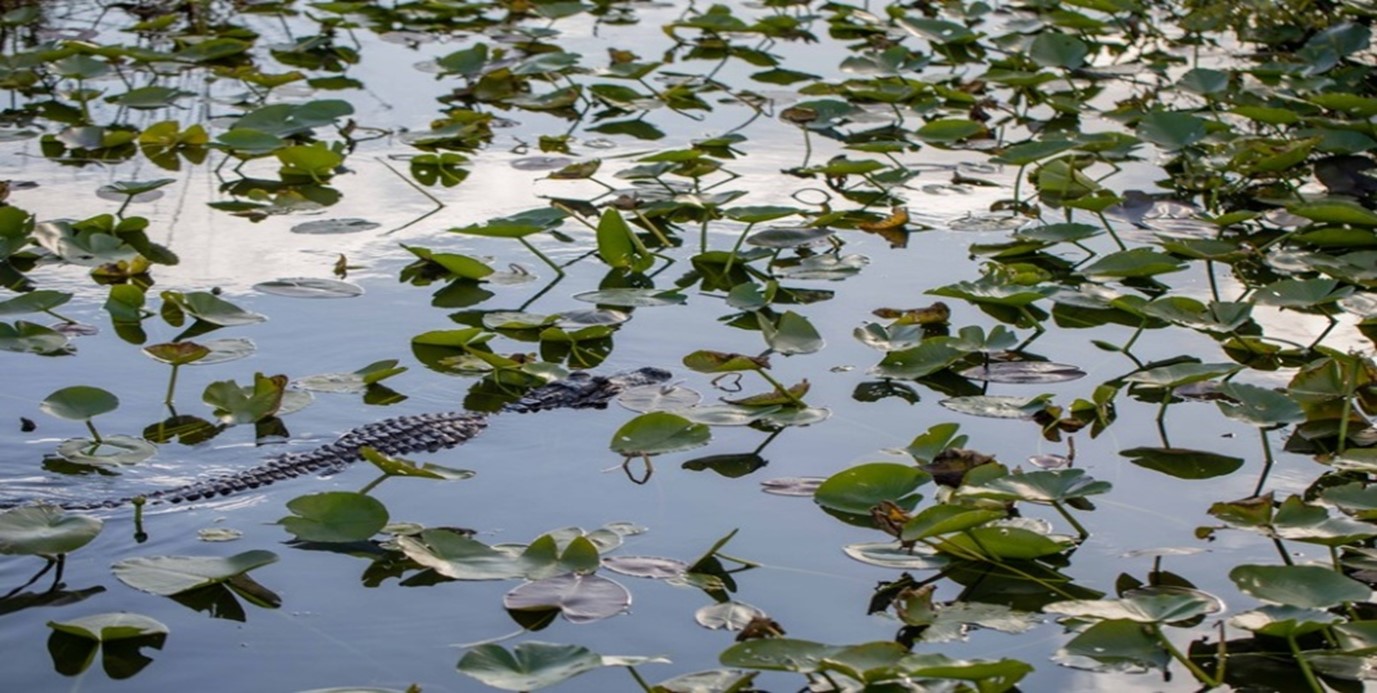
(397,436)
